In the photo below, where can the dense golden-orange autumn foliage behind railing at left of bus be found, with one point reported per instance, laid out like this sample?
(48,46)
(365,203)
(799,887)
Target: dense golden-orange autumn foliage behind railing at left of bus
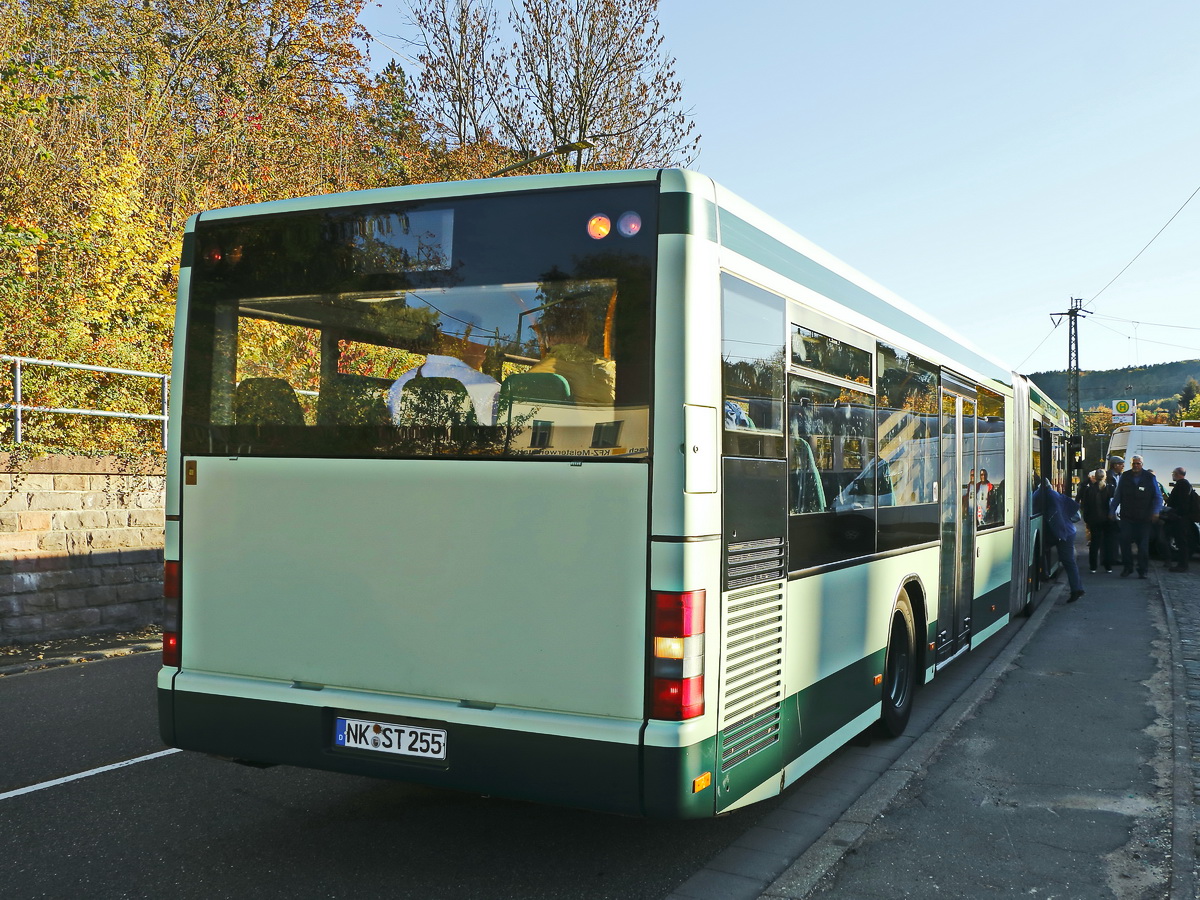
(121,118)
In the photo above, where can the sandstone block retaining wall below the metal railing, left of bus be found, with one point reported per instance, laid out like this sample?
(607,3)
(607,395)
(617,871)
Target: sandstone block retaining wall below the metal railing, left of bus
(81,548)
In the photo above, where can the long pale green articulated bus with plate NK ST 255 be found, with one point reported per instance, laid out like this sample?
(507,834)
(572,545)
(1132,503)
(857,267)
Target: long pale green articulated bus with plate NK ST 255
(602,490)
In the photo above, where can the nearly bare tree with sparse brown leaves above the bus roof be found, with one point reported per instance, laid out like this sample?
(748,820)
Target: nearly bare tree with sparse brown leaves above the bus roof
(590,71)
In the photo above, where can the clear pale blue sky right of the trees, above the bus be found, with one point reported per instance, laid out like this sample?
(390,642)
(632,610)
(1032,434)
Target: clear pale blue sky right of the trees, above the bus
(986,161)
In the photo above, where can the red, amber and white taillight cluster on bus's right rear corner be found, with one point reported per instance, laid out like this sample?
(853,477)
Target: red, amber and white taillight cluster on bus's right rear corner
(679,680)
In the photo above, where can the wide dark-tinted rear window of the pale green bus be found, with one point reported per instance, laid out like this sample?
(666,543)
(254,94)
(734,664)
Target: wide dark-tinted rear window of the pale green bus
(502,327)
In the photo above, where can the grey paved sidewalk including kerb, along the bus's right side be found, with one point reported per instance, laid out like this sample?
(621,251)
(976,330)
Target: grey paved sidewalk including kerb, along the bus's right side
(1077,778)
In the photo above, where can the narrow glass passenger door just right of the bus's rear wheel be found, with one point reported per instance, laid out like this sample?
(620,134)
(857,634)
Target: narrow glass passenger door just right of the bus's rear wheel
(957,502)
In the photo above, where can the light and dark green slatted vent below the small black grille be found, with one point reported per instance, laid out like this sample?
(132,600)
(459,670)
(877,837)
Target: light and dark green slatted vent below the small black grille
(754,673)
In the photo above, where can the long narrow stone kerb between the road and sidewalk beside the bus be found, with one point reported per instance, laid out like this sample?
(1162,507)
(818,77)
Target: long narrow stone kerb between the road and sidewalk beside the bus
(802,877)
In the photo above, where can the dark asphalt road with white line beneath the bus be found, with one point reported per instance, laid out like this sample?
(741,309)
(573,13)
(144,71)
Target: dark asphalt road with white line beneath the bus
(187,826)
